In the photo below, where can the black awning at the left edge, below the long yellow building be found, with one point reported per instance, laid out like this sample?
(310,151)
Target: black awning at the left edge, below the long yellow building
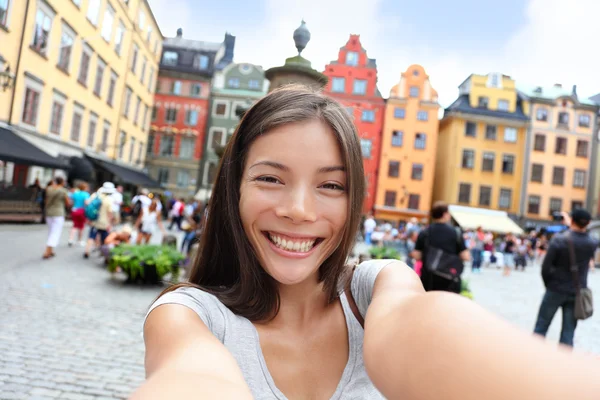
(15,149)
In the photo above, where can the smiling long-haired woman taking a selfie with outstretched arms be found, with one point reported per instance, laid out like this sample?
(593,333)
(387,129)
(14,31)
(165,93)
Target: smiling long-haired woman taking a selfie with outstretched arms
(271,311)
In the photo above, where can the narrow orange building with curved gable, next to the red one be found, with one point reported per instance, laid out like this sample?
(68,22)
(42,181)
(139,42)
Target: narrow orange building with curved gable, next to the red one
(408,150)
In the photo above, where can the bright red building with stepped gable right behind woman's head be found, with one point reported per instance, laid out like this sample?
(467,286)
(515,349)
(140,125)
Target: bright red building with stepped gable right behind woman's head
(353,82)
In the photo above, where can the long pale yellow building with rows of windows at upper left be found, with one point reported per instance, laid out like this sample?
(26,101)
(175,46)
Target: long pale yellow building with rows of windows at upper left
(85,72)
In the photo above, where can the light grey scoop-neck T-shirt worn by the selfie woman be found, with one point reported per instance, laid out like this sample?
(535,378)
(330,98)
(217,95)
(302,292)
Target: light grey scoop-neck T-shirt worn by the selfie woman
(241,338)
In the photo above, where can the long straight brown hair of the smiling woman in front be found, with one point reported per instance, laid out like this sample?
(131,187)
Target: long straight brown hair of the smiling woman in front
(226,264)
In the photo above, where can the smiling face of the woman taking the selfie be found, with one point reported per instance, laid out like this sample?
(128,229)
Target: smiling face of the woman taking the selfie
(293,199)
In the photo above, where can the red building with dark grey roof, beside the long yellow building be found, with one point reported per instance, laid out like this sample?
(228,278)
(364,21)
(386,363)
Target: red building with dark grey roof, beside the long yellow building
(181,112)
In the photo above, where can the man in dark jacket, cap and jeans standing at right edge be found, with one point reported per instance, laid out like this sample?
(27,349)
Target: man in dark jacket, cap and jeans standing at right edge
(558,278)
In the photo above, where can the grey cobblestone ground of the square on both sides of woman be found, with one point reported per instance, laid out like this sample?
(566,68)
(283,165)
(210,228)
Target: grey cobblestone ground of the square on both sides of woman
(69,331)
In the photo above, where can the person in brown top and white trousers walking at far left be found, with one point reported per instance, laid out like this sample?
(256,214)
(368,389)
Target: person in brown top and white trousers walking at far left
(57,199)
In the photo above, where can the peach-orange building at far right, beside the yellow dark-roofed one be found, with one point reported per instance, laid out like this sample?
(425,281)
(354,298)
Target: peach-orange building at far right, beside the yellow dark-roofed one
(558,167)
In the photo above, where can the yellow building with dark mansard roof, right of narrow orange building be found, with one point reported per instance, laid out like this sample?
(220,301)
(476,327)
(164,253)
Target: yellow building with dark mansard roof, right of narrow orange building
(481,146)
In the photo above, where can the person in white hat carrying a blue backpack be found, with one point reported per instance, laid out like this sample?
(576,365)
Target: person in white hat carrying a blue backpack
(99,212)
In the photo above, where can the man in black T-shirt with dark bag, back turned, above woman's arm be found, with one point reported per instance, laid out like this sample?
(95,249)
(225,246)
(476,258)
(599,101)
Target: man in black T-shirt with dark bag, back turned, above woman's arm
(442,250)
